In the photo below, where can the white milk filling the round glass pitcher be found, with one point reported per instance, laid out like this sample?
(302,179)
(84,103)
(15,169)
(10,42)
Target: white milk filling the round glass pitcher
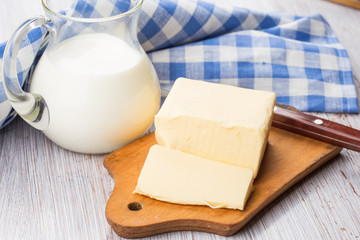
(101,93)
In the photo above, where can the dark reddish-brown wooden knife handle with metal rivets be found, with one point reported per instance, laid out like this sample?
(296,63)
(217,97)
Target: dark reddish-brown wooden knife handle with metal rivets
(316,128)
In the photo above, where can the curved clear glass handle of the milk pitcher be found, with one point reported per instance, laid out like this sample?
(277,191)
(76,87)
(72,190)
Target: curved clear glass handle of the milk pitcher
(31,107)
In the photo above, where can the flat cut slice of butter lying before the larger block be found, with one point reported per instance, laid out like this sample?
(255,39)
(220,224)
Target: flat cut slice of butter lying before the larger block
(177,177)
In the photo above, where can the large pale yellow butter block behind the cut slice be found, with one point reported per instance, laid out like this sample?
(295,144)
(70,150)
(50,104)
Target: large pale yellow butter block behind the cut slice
(218,122)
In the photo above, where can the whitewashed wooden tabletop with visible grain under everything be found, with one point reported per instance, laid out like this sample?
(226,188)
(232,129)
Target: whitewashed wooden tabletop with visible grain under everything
(50,193)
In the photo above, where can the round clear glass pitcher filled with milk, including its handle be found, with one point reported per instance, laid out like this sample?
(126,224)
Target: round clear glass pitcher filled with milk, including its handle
(94,88)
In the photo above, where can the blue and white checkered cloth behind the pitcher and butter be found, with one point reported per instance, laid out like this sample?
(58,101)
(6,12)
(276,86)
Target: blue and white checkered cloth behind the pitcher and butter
(299,58)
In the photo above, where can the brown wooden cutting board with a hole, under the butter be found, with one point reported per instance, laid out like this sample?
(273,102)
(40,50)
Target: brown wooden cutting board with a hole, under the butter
(288,158)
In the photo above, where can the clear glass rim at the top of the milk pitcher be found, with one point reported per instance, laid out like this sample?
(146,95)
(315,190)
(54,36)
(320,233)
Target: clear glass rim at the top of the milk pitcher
(93,20)
